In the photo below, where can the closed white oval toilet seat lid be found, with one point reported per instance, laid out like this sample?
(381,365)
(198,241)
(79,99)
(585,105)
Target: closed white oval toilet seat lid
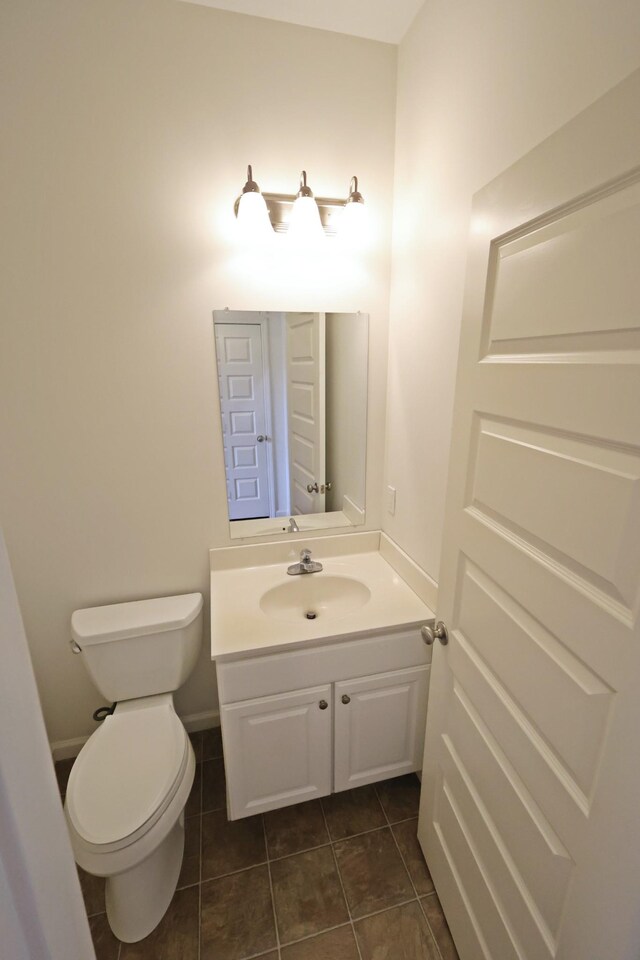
(125,773)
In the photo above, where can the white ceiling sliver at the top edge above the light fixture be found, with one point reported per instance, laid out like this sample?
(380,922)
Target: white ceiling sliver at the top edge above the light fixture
(385,20)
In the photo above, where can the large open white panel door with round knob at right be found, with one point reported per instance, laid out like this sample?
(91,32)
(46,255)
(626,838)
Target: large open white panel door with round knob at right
(530,809)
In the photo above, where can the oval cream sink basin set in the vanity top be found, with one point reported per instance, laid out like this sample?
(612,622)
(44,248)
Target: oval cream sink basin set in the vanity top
(314,596)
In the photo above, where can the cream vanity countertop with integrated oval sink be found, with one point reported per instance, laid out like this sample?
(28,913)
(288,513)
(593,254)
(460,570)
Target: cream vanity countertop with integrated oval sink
(240,627)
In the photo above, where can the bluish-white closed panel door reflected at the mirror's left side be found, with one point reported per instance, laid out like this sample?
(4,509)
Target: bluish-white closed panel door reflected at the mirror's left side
(244,403)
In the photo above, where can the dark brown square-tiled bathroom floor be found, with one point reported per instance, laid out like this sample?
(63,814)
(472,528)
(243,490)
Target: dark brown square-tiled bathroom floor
(342,878)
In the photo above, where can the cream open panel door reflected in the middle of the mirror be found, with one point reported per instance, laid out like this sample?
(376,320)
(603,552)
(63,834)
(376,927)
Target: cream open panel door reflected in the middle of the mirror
(306,411)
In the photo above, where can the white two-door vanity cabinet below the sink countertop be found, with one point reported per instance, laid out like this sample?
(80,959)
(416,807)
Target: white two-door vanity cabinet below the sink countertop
(322,718)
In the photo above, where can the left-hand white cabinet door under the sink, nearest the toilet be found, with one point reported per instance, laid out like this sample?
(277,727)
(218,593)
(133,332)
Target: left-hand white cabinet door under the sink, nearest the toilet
(277,750)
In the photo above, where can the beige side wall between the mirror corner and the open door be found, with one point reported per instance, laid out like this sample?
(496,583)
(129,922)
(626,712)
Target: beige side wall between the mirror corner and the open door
(479,84)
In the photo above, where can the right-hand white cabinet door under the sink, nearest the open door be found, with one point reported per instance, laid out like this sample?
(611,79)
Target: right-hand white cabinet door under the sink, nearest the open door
(379,726)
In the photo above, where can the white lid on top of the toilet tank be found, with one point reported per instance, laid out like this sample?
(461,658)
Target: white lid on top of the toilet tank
(117,621)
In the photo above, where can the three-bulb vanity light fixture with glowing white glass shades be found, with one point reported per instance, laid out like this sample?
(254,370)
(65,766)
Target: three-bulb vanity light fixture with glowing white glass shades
(300,209)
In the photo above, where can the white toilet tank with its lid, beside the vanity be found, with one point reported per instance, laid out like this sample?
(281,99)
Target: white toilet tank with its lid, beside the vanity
(139,648)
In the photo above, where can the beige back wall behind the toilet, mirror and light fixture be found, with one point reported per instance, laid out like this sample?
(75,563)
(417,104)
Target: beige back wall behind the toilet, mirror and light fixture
(126,129)
